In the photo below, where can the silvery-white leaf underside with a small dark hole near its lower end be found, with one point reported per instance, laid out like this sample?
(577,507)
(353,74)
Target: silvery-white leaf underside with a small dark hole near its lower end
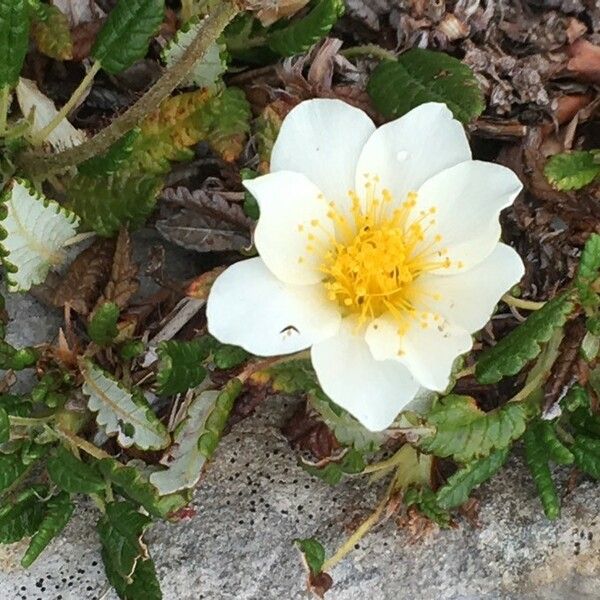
(121,411)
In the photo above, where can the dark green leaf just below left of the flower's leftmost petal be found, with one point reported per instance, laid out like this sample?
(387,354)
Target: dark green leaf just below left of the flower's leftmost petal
(180,367)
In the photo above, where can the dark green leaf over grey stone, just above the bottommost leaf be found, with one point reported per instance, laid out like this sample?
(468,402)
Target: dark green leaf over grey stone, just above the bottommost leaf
(121,529)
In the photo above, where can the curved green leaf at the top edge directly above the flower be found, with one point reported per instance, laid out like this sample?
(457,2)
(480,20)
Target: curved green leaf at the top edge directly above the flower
(301,35)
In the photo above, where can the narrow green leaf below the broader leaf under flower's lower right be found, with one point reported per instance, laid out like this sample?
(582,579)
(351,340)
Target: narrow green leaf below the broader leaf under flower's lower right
(459,486)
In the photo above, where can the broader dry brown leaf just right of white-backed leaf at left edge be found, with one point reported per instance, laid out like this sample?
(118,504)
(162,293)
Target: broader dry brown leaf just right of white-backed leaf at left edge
(86,277)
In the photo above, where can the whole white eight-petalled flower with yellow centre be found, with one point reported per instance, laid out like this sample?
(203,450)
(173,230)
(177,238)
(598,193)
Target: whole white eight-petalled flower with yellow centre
(379,250)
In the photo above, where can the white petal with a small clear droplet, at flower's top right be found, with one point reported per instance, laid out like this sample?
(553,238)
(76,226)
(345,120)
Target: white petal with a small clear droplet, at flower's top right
(408,151)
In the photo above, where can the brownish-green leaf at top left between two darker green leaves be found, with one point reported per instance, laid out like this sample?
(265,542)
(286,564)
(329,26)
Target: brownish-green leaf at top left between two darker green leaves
(51,31)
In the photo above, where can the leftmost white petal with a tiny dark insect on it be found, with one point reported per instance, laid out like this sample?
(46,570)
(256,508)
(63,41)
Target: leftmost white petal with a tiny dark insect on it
(251,308)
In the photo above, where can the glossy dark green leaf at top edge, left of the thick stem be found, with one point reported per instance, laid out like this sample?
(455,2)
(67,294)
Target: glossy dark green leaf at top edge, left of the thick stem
(126,34)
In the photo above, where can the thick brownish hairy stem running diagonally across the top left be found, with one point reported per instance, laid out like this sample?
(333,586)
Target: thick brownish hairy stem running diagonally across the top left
(39,165)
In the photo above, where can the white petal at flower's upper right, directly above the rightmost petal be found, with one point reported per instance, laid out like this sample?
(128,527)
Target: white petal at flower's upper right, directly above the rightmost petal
(468,199)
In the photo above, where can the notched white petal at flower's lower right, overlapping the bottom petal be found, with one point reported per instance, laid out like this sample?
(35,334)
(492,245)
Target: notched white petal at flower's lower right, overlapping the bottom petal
(428,352)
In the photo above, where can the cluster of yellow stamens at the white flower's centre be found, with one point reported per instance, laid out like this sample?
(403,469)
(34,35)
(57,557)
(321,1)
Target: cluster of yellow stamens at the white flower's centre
(372,265)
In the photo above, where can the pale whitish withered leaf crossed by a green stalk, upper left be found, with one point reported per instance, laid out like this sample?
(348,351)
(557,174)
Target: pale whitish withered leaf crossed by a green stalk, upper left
(40,110)
